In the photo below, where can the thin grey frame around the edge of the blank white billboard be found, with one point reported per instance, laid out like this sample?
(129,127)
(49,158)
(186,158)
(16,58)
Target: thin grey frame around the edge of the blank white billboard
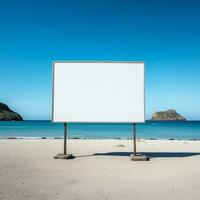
(81,122)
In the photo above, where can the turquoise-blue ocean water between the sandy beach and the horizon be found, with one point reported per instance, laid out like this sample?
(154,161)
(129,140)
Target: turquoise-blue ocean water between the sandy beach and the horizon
(149,130)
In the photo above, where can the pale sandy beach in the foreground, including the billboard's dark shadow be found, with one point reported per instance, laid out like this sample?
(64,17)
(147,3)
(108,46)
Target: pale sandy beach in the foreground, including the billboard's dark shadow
(28,170)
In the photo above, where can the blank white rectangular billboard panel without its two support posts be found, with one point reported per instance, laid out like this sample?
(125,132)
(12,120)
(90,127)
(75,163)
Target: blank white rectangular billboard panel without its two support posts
(98,92)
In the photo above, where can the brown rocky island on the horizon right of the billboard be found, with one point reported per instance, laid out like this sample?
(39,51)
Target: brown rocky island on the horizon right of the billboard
(169,115)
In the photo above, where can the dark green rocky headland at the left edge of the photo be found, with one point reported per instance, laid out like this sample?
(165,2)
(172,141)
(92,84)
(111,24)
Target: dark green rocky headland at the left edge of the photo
(6,114)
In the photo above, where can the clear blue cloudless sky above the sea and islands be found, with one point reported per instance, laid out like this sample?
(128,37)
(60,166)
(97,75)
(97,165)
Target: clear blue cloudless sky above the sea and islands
(163,33)
